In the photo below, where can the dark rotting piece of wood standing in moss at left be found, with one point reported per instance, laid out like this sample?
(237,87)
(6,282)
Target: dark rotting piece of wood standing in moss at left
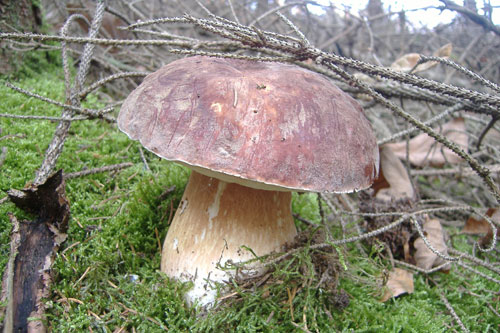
(27,279)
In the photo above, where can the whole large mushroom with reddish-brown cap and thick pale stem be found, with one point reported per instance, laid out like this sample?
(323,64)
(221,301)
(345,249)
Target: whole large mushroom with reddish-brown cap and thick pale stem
(251,132)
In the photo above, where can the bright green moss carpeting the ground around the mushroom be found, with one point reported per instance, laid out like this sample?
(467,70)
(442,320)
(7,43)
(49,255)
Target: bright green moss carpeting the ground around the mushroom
(106,276)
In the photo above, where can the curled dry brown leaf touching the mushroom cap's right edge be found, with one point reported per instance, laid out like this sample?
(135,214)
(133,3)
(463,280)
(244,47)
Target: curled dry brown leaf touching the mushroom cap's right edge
(393,181)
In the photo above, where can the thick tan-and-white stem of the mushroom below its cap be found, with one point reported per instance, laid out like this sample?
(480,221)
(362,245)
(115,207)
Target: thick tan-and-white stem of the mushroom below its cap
(214,223)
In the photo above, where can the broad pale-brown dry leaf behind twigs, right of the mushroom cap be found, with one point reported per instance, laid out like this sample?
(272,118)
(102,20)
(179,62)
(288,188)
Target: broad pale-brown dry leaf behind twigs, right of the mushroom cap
(425,151)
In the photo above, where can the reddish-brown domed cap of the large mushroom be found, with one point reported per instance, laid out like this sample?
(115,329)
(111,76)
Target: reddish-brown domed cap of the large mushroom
(264,125)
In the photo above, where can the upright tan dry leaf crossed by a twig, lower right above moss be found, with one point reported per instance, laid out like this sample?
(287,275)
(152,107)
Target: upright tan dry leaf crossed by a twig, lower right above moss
(424,257)
